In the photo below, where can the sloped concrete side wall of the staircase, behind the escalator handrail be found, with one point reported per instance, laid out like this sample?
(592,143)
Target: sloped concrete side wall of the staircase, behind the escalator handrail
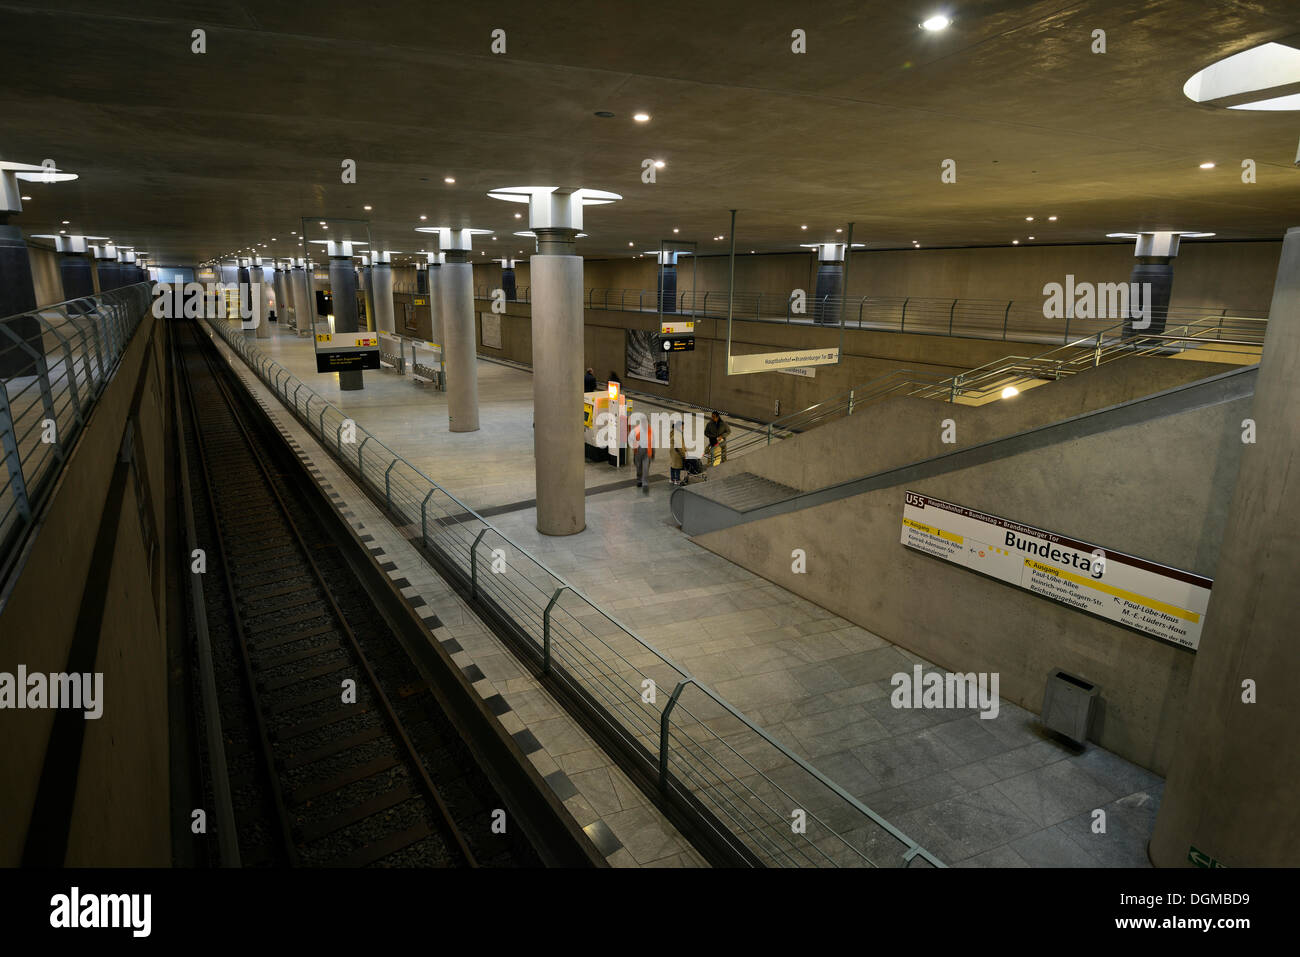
(902,430)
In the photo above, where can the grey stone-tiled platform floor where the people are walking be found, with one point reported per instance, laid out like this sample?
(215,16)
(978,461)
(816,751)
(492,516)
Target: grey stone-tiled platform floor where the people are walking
(974,793)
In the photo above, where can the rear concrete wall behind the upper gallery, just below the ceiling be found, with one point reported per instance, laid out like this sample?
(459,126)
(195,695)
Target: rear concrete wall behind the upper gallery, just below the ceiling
(1236,276)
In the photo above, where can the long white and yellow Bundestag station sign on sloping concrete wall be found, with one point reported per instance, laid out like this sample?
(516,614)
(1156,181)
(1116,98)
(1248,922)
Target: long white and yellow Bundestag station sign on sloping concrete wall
(1154,599)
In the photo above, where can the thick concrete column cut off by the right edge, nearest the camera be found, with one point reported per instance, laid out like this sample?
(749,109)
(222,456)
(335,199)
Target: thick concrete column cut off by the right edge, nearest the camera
(1232,793)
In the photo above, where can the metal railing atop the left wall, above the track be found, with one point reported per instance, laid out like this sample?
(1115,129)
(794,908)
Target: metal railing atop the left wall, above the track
(54,365)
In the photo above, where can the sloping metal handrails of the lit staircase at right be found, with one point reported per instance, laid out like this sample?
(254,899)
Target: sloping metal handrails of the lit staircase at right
(1237,336)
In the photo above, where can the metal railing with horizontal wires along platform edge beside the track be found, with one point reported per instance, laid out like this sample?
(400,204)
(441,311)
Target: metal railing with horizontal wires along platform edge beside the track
(701,751)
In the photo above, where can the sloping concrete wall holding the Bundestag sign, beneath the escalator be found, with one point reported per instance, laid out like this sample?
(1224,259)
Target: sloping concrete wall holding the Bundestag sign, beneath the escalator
(1159,491)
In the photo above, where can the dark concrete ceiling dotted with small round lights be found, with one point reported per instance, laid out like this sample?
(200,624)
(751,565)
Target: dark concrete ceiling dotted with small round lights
(192,157)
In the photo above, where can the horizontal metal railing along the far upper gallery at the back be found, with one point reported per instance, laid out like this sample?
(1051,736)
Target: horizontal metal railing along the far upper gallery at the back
(980,319)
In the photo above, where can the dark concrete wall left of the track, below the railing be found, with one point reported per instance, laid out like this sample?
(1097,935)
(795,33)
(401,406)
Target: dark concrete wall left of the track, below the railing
(122,812)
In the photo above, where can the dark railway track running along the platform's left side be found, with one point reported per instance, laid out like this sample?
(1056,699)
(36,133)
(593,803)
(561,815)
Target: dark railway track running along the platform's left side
(339,752)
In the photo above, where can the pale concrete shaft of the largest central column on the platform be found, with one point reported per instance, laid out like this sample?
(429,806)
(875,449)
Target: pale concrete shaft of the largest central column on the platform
(558,350)
